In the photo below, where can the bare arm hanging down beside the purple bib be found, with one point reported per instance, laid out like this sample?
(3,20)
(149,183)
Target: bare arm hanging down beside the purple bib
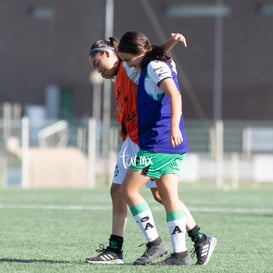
(169,87)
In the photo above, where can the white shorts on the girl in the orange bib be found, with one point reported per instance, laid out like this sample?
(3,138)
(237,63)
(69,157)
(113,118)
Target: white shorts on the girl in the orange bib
(126,157)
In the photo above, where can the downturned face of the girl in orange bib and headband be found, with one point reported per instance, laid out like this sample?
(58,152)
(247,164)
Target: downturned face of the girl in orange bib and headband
(106,63)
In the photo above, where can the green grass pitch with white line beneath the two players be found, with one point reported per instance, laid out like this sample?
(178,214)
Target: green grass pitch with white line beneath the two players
(55,230)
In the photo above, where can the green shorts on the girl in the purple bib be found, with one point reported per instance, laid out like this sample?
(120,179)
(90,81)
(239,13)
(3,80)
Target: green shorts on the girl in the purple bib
(155,165)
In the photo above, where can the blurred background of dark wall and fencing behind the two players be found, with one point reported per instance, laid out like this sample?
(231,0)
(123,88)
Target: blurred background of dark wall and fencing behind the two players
(57,124)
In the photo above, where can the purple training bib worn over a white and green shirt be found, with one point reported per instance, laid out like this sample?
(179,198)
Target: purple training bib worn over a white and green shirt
(154,117)
